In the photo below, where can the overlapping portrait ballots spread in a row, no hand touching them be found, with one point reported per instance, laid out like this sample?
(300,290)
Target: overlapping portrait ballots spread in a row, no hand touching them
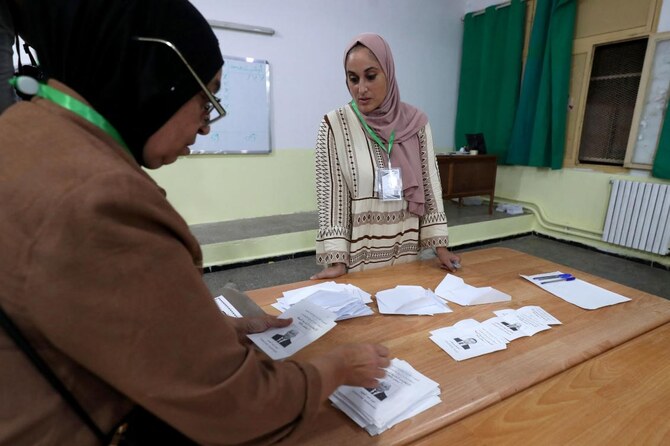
(469,338)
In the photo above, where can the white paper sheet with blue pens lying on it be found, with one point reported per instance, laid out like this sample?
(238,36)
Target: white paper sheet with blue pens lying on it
(575,291)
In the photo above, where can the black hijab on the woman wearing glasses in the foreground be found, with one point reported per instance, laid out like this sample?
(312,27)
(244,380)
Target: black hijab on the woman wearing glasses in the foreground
(137,86)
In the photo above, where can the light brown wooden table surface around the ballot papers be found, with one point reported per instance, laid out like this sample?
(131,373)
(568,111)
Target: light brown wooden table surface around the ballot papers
(534,388)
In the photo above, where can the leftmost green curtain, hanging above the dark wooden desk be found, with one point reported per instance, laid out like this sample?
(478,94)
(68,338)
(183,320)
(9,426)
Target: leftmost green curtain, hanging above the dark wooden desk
(491,64)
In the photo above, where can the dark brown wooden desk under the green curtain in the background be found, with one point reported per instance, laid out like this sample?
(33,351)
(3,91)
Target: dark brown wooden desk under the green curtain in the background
(467,176)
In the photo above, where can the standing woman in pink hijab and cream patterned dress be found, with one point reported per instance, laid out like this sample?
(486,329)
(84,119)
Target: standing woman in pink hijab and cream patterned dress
(378,187)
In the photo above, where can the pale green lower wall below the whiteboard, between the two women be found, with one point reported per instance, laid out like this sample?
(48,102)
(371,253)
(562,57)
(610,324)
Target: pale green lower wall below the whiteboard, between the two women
(213,188)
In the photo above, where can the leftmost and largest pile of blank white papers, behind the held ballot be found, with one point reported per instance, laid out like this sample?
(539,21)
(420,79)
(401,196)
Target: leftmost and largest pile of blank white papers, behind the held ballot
(345,300)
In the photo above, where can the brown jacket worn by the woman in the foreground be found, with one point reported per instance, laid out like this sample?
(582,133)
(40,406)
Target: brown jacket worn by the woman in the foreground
(102,275)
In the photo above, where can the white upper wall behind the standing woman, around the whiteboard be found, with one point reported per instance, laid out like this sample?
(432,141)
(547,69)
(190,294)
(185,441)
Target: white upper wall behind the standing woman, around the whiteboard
(306,55)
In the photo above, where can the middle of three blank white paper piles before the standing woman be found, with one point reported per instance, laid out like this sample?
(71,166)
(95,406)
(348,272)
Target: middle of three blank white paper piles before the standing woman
(410,299)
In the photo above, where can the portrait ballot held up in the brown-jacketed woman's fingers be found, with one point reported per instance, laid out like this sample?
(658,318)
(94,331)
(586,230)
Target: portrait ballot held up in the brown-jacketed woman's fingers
(310,322)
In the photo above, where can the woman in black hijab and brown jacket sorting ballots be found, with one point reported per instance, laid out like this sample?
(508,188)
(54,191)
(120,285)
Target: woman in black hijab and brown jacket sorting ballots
(101,274)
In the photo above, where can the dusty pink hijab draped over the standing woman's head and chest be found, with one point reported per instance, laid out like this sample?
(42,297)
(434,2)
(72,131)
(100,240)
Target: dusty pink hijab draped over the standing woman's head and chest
(392,115)
